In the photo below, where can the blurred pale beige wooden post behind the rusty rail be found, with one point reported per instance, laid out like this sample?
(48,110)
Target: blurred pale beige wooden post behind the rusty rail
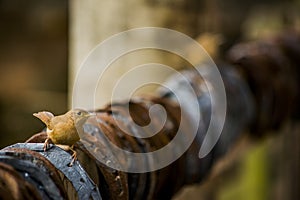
(93,21)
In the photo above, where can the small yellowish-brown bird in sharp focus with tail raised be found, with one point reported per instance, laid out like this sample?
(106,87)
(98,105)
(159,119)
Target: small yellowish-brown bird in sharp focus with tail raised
(63,130)
